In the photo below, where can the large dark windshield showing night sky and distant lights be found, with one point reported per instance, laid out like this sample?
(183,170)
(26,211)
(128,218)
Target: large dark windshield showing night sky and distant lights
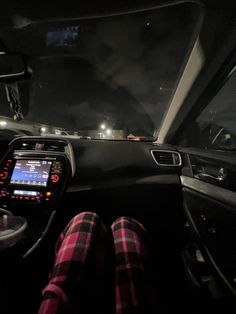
(104,78)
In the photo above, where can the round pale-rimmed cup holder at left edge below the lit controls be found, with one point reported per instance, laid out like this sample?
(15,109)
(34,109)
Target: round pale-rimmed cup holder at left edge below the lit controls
(11,229)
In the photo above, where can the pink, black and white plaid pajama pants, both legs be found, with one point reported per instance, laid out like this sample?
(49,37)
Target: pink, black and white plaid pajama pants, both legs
(77,278)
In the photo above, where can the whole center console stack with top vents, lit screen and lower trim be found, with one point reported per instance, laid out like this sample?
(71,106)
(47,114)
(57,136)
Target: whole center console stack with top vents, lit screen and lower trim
(33,177)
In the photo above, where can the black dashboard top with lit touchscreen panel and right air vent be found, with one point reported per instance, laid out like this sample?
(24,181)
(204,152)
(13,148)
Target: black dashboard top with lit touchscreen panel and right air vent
(36,170)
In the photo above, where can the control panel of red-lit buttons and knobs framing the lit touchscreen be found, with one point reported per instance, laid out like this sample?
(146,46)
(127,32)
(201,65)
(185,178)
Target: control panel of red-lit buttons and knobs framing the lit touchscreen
(32,179)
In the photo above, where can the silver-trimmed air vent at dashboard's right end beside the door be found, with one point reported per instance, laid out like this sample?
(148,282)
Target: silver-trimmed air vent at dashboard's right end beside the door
(166,158)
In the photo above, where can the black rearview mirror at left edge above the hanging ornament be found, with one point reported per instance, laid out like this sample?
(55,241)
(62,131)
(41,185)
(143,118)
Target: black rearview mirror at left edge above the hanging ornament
(12,67)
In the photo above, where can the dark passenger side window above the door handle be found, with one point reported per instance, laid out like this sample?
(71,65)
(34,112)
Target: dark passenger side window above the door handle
(215,127)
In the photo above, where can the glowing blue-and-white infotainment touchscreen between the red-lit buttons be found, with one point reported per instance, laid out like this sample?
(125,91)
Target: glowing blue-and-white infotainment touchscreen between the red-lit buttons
(31,172)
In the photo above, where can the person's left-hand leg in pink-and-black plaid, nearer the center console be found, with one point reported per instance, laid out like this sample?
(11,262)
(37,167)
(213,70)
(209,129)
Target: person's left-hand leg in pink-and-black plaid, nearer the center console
(80,254)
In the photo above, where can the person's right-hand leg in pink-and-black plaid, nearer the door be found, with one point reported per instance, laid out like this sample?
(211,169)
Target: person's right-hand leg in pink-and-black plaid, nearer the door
(133,283)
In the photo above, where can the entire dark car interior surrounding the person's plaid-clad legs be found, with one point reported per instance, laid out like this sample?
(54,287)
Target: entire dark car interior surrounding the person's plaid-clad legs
(122,109)
